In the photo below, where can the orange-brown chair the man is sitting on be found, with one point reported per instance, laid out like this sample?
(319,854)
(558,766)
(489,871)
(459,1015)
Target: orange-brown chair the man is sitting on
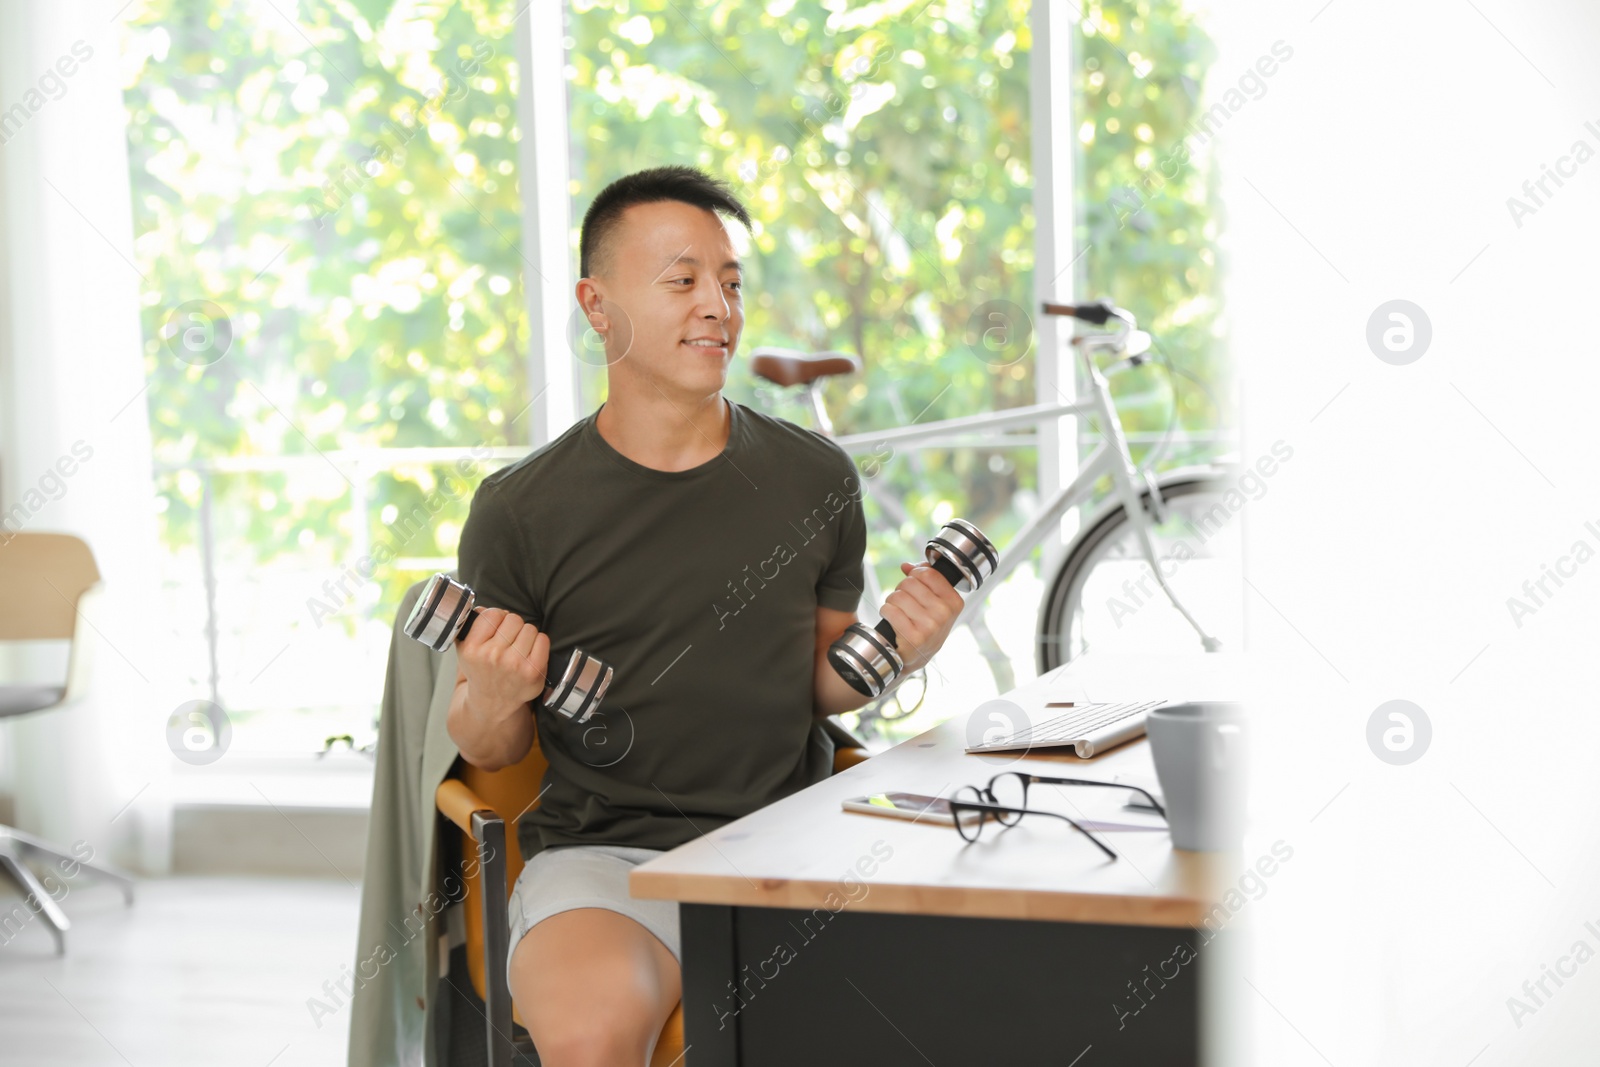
(481,804)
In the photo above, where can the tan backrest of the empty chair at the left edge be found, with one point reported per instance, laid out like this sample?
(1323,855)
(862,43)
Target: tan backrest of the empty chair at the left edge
(44,577)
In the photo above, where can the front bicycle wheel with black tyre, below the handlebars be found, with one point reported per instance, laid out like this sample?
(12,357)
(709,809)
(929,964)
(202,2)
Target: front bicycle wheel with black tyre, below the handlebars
(1105,596)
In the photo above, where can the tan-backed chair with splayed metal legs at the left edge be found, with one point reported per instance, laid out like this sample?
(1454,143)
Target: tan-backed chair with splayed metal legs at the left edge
(46,578)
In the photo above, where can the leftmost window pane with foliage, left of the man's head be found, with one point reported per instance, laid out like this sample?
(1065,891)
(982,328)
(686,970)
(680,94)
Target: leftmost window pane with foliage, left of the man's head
(329,223)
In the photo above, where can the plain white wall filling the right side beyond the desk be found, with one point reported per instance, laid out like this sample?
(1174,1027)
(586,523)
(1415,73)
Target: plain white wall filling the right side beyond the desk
(1377,166)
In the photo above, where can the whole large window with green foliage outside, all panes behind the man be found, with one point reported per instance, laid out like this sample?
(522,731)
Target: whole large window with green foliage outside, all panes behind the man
(330,225)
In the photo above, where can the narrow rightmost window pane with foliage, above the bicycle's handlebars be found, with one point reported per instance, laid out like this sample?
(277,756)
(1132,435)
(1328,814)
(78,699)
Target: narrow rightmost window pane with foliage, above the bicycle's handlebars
(1148,215)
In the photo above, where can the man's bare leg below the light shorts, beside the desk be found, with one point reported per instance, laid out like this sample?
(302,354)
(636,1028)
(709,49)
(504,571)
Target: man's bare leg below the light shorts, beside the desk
(594,988)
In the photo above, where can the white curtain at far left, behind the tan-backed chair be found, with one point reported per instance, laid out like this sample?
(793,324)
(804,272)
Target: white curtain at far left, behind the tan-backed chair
(71,370)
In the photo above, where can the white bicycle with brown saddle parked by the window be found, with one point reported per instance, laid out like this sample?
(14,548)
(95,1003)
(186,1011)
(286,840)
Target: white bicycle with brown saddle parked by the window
(1129,575)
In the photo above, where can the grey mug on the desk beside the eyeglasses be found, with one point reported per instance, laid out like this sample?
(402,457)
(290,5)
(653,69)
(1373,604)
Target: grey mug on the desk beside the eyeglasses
(1201,762)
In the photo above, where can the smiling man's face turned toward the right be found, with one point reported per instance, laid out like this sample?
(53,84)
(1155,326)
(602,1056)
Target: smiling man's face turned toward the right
(671,297)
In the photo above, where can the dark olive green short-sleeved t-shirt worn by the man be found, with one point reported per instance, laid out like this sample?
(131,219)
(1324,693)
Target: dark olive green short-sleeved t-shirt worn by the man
(700,588)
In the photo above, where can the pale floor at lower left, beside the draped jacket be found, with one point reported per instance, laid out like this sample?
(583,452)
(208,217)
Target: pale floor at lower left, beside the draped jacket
(201,972)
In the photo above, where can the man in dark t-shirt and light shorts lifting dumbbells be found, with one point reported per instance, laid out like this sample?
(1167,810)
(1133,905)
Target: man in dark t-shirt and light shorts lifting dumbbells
(708,553)
